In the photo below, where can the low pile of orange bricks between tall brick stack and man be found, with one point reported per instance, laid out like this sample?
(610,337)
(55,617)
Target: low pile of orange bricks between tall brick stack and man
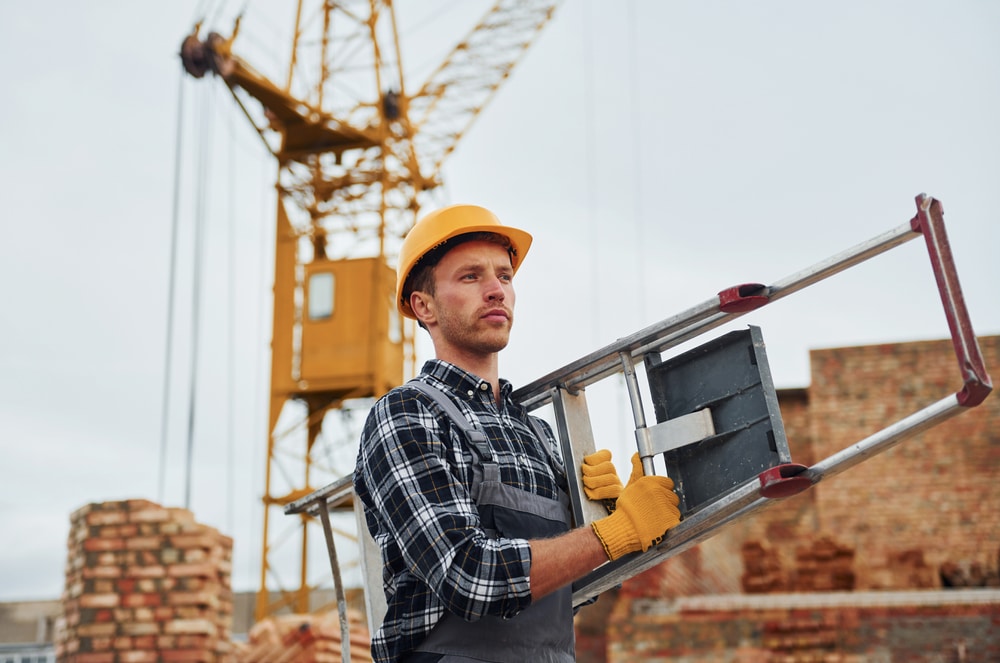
(308,638)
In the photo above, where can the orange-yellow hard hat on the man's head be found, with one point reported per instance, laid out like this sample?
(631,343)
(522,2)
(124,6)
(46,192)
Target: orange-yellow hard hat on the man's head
(441,225)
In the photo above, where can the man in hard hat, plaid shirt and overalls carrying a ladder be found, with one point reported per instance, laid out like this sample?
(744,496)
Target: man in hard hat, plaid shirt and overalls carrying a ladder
(463,492)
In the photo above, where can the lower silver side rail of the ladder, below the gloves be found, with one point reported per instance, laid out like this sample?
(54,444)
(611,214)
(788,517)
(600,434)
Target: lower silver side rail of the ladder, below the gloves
(746,499)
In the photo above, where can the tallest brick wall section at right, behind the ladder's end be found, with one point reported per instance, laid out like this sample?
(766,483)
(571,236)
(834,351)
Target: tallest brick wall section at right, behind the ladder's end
(935,493)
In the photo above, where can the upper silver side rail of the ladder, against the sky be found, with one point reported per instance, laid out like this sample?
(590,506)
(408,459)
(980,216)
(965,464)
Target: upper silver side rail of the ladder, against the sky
(705,316)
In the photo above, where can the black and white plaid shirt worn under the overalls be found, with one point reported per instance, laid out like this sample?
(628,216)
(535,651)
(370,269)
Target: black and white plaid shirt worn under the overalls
(413,476)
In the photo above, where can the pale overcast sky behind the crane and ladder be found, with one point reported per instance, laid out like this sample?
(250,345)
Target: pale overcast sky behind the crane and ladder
(658,151)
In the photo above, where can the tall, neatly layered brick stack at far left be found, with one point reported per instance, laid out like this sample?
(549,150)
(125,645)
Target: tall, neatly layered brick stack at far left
(145,584)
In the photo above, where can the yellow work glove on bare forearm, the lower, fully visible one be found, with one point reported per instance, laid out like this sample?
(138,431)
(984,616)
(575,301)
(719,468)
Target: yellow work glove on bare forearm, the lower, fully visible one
(646,509)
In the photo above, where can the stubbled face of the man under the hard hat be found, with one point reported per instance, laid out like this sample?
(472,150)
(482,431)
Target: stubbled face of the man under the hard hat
(474,297)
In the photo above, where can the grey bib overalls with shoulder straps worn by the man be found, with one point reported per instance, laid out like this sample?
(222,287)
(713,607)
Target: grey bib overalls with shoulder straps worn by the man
(543,632)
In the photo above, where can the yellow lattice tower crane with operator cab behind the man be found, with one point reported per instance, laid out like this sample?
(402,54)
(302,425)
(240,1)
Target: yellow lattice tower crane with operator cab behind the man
(357,151)
